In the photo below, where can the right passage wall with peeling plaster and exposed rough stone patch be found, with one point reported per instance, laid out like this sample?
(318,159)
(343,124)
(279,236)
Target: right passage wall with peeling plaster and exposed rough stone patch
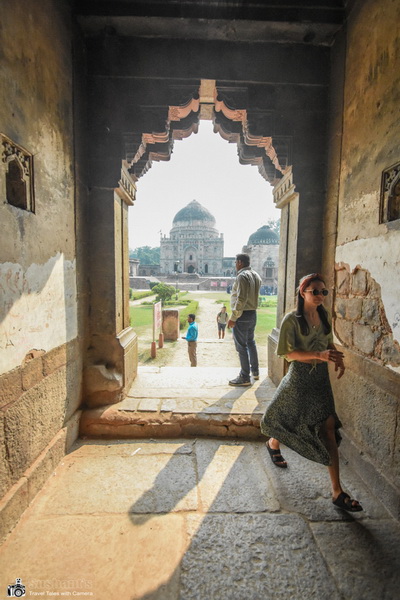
(364,142)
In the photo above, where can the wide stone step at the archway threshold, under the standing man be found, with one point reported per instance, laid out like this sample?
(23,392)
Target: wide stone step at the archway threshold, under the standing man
(172,402)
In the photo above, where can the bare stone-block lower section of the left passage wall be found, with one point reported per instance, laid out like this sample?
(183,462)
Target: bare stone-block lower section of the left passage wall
(39,399)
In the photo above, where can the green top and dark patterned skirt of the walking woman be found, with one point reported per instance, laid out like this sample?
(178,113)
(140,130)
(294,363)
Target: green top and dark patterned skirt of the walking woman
(304,398)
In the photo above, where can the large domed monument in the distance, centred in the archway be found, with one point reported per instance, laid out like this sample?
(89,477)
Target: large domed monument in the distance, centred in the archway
(194,244)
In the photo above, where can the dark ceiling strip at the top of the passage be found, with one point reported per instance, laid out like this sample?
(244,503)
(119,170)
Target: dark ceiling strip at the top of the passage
(299,21)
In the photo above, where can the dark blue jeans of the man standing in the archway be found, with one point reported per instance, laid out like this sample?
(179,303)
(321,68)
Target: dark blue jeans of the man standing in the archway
(243,334)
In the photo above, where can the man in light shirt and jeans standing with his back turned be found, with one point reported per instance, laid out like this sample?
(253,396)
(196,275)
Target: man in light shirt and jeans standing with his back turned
(244,302)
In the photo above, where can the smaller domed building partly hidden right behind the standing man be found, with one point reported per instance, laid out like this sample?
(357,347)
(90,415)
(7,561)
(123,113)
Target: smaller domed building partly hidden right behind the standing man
(263,249)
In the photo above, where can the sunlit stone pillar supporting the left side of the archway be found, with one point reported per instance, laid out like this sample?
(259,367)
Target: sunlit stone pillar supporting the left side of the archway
(112,360)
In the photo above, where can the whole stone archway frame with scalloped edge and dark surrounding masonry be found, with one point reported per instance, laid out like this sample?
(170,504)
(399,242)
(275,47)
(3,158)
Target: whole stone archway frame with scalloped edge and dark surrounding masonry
(169,110)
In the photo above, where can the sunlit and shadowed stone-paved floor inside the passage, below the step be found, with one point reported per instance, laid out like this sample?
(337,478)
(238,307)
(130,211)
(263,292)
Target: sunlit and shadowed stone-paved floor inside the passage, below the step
(198,520)
